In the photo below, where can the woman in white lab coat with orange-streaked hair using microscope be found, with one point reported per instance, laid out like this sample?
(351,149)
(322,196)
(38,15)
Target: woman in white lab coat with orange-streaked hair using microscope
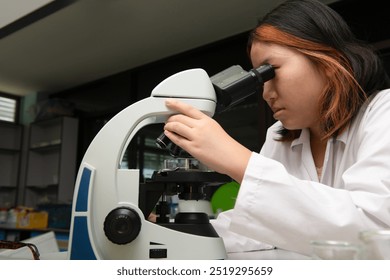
(324,169)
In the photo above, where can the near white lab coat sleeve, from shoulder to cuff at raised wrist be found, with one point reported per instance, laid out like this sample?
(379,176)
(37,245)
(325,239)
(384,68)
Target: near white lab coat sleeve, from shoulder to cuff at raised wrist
(280,209)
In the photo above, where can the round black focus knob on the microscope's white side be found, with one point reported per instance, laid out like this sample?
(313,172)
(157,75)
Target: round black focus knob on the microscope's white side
(122,225)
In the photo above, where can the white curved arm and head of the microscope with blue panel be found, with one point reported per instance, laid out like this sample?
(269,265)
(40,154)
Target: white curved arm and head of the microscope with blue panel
(102,187)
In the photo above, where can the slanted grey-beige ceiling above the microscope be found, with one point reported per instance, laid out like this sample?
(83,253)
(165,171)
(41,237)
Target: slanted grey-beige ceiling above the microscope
(87,40)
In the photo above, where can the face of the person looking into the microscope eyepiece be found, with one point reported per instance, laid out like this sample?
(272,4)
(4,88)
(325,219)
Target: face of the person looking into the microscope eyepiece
(294,93)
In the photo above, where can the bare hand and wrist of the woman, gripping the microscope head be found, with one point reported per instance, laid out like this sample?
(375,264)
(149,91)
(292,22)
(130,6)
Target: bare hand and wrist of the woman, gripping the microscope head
(204,139)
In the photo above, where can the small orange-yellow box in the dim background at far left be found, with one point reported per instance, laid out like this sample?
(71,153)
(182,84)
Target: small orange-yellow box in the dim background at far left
(32,219)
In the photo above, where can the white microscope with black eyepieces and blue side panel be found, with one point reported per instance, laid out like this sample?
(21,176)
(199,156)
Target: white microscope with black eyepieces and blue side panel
(111,206)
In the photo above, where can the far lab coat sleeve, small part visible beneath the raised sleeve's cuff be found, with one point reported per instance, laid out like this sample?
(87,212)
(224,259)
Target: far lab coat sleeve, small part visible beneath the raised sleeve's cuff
(234,242)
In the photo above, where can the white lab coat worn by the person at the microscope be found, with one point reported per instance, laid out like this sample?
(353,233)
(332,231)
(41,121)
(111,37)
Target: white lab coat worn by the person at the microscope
(283,203)
